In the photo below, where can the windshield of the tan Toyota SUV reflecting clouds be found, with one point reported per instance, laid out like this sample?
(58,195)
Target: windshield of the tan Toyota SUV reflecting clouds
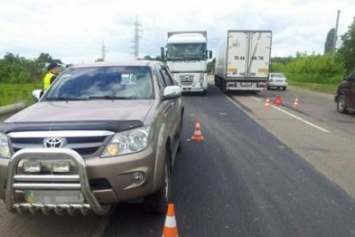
(88,83)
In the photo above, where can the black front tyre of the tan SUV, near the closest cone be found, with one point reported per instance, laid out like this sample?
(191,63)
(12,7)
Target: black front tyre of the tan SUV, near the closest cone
(157,202)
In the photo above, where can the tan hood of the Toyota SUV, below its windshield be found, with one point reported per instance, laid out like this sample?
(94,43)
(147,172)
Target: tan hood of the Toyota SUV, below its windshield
(84,111)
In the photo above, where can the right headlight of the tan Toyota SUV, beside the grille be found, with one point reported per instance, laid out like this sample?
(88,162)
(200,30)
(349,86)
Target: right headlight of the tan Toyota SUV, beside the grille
(128,142)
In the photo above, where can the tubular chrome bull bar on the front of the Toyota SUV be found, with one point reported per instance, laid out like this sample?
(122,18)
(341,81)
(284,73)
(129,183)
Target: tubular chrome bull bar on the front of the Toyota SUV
(81,182)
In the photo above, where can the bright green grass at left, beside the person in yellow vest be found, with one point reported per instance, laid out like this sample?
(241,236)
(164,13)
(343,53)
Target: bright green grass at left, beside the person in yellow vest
(14,93)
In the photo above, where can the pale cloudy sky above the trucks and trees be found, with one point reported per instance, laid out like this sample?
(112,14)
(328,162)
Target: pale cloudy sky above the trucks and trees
(82,31)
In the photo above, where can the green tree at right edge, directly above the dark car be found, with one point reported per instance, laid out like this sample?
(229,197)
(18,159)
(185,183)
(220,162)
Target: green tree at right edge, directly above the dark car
(346,52)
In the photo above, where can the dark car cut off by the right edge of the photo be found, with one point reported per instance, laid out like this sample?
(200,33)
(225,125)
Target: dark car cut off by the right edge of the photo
(345,95)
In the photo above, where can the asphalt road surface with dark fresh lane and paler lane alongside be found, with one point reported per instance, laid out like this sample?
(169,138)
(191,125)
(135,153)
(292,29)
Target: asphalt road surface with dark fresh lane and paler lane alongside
(249,177)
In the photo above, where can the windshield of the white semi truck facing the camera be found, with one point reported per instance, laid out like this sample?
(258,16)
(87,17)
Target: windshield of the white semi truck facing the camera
(187,51)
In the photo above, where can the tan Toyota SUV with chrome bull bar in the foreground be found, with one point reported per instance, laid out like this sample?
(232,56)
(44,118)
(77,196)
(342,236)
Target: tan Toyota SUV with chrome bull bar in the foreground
(102,133)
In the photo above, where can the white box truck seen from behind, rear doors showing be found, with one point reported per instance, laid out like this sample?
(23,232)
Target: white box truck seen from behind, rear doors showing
(242,60)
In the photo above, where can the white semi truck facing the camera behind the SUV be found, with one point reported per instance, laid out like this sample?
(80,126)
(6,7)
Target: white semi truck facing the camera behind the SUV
(186,55)
